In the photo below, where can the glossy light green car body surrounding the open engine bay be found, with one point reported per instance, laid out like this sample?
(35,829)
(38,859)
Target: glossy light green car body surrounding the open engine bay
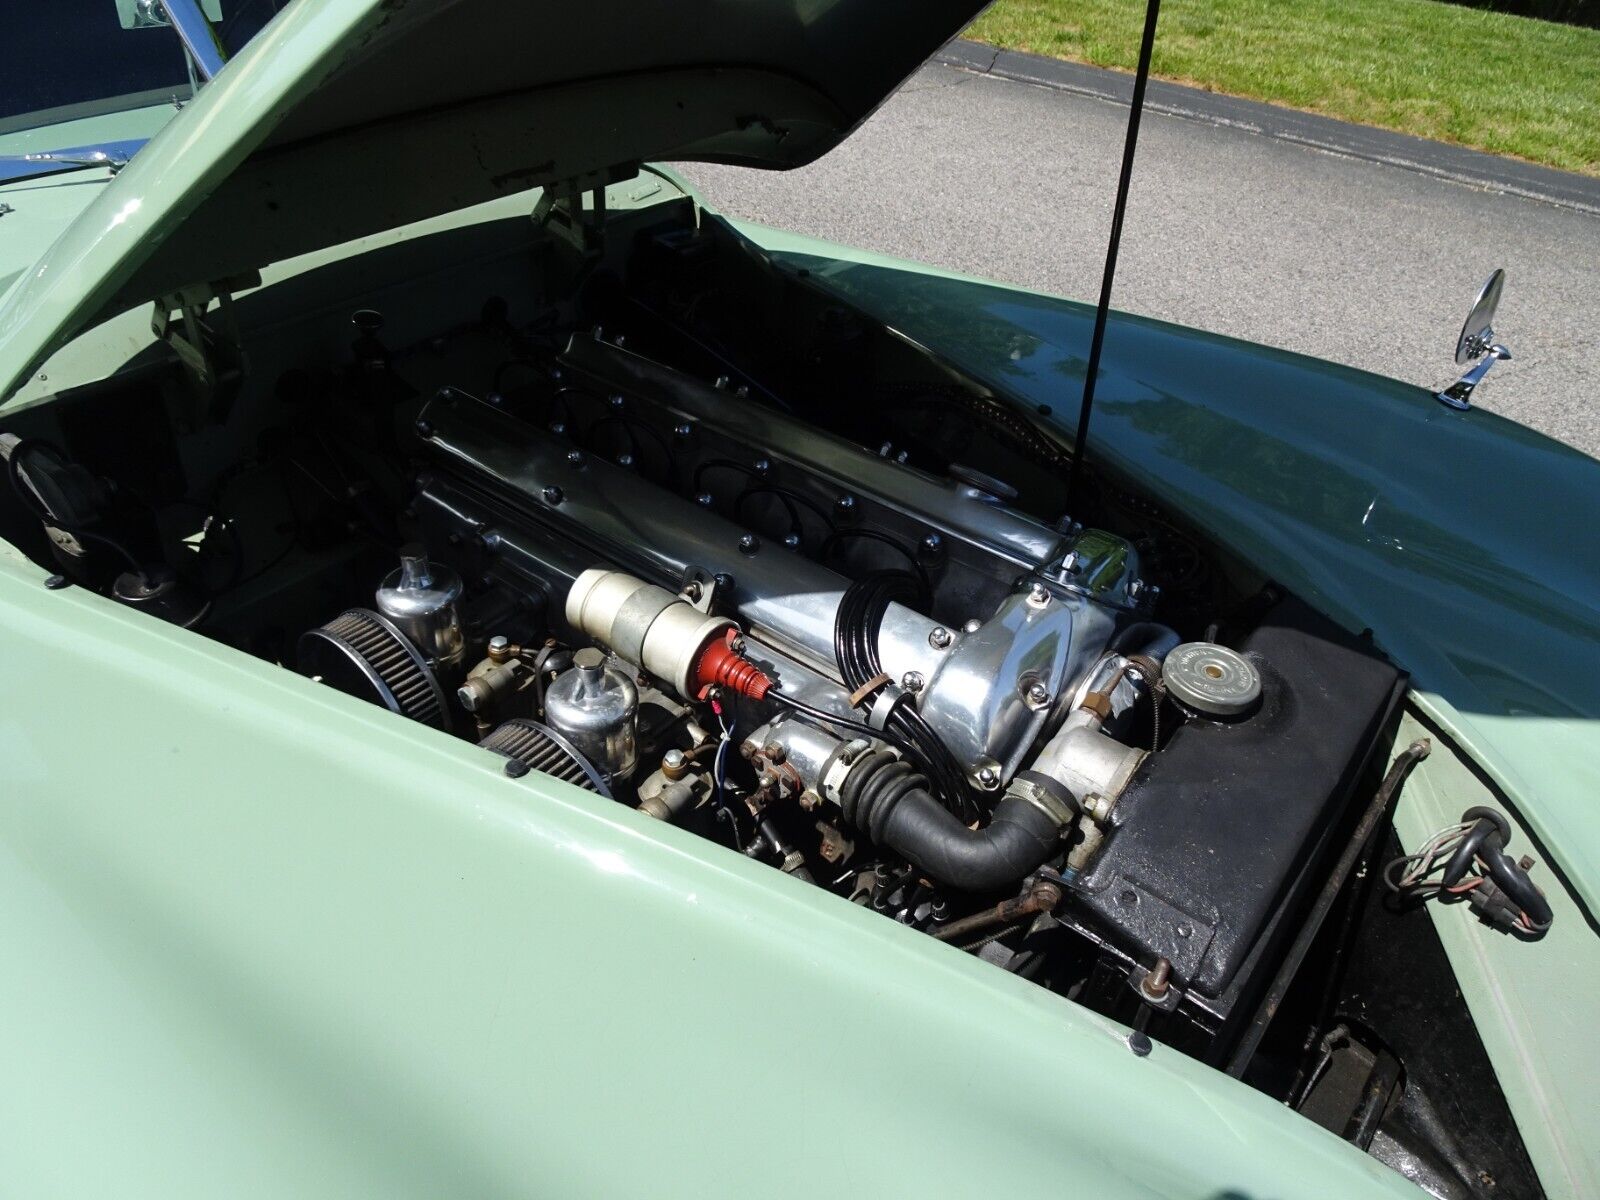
(265,940)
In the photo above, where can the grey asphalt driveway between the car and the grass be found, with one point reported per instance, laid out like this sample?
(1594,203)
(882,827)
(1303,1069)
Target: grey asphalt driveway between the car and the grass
(1228,230)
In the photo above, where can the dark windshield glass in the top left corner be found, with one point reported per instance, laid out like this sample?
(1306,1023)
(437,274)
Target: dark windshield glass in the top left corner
(73,58)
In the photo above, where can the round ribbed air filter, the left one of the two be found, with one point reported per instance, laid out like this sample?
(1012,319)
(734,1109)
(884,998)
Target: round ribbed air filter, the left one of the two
(364,655)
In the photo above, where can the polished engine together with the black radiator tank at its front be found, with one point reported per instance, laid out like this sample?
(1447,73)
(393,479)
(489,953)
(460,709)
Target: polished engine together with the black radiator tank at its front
(889,682)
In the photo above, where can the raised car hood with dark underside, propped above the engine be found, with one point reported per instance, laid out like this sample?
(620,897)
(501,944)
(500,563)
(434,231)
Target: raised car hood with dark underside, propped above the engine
(340,121)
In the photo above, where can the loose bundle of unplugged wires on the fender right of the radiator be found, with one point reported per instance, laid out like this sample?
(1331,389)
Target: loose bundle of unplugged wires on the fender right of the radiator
(1468,860)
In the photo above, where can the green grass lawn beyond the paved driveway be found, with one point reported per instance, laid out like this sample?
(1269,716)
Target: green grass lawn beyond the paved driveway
(1495,82)
